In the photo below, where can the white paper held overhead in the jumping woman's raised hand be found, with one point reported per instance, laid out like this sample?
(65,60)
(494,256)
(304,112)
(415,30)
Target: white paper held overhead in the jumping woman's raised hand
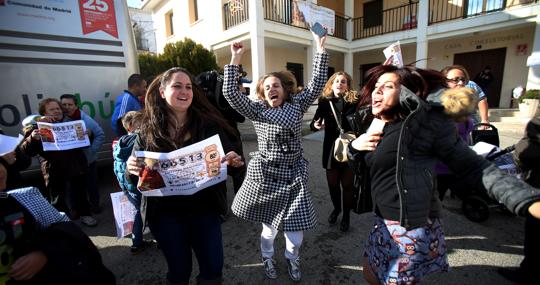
(311,13)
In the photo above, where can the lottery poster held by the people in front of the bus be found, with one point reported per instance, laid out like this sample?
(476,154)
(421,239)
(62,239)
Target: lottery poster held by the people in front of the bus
(63,136)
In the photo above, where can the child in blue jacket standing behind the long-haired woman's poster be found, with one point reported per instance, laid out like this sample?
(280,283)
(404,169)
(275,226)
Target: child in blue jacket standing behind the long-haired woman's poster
(121,152)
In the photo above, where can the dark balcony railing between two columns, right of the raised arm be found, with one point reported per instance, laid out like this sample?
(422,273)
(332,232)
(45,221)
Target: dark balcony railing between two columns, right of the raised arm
(390,20)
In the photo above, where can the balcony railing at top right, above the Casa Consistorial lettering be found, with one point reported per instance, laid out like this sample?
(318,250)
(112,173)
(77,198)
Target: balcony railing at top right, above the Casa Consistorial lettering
(444,10)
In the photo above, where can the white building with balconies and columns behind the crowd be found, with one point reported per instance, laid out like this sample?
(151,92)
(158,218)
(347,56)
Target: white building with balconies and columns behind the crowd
(502,34)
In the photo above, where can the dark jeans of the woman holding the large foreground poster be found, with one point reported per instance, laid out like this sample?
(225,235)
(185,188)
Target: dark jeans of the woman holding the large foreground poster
(178,236)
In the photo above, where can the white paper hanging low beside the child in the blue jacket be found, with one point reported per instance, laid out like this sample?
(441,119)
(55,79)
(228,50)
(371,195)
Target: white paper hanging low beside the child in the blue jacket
(124,214)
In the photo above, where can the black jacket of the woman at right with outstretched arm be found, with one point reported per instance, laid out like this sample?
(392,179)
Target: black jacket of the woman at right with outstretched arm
(427,136)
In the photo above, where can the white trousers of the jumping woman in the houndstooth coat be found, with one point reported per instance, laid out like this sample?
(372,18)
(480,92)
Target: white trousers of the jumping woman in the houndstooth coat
(293,241)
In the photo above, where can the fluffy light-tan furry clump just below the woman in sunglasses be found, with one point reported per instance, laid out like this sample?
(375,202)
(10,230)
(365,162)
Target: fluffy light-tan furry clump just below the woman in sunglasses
(459,103)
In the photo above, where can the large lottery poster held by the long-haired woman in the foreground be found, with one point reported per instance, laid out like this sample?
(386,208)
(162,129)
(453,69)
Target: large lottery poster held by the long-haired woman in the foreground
(184,171)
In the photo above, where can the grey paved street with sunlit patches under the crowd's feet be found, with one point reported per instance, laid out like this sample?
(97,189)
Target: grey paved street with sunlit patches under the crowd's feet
(328,255)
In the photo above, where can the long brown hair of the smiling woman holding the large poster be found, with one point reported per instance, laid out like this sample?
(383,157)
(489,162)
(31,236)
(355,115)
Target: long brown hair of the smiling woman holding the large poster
(158,115)
